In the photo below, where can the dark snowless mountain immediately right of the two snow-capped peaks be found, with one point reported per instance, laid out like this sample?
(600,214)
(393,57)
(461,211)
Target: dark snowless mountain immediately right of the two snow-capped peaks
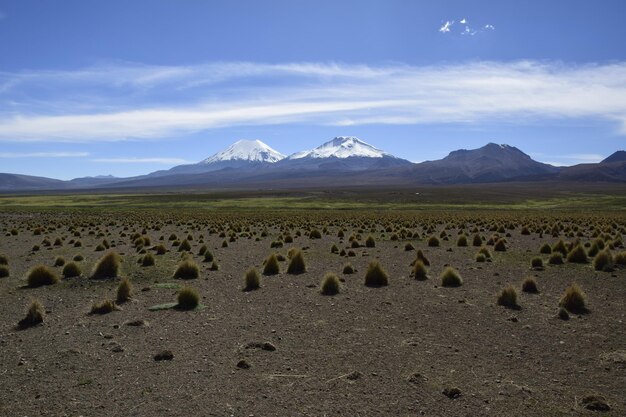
(491,163)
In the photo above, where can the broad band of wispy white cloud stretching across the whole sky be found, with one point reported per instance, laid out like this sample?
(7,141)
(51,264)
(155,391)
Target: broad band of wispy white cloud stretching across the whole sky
(158,102)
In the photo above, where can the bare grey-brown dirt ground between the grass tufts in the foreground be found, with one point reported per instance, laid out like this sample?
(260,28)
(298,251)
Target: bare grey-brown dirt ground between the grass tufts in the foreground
(366,351)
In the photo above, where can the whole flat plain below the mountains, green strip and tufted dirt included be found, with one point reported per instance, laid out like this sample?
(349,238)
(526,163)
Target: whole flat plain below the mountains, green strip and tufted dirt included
(412,347)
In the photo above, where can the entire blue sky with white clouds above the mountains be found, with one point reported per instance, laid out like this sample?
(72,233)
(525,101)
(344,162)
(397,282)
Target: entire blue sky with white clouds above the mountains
(125,88)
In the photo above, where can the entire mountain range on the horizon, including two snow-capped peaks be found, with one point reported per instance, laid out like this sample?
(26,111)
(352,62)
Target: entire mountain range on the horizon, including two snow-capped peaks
(341,162)
